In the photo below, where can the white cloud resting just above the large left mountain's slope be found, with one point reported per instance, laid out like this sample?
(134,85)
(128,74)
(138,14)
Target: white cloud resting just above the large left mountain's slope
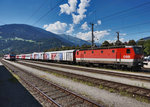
(57,27)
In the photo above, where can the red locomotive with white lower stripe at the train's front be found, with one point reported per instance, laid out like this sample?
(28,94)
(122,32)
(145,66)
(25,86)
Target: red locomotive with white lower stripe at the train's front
(126,56)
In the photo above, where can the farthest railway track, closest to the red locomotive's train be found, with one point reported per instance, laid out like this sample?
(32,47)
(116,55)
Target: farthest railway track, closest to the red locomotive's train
(130,76)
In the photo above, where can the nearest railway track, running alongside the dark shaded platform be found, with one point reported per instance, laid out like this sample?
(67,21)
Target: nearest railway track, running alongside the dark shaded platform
(53,94)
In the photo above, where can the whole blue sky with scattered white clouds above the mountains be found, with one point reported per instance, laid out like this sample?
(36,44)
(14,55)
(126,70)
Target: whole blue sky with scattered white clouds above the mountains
(130,17)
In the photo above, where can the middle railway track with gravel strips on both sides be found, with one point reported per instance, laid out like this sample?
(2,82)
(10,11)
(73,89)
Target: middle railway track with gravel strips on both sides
(133,90)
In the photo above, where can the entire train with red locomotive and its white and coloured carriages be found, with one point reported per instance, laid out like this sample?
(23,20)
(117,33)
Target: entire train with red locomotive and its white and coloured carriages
(123,56)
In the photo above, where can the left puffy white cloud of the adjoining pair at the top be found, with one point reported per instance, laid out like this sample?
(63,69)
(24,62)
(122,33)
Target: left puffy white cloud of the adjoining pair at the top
(69,7)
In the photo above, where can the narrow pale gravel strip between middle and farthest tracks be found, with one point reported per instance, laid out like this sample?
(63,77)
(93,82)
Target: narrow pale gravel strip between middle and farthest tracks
(100,76)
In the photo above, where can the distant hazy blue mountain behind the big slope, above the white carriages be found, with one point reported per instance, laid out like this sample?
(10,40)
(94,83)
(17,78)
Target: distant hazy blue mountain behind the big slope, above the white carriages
(74,40)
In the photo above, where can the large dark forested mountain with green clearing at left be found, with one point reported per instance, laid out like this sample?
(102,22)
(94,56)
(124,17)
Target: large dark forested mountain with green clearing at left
(21,38)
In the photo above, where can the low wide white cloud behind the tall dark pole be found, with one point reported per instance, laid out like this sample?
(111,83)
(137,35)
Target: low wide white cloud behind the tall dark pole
(87,36)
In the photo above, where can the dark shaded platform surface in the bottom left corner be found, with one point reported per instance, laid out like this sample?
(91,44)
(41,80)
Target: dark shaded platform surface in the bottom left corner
(12,93)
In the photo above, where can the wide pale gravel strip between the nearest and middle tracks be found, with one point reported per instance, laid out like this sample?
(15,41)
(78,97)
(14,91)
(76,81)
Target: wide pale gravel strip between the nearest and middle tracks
(110,99)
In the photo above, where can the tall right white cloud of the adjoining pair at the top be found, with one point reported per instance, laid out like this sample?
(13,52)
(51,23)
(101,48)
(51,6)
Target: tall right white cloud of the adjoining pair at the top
(81,10)
